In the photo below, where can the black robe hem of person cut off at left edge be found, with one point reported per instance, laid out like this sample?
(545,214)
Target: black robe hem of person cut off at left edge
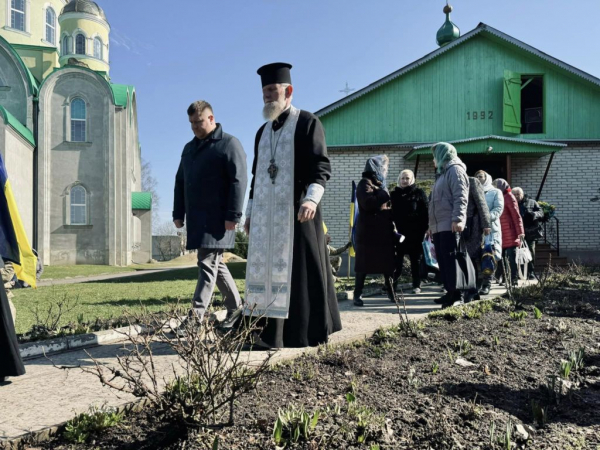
(11,364)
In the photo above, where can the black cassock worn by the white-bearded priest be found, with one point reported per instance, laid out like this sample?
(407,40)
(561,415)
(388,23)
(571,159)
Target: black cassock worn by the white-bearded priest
(313,313)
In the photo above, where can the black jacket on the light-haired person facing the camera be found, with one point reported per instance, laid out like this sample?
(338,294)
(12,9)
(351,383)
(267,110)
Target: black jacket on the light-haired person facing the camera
(410,214)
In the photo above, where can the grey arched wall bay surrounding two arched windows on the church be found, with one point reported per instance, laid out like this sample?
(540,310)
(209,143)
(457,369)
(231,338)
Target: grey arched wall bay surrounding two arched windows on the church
(88,163)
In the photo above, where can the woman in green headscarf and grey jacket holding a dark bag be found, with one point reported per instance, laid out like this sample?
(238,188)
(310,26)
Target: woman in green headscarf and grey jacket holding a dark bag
(448,215)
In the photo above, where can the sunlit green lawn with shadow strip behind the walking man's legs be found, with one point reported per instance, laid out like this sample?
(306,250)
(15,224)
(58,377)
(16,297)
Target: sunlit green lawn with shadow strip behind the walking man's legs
(112,298)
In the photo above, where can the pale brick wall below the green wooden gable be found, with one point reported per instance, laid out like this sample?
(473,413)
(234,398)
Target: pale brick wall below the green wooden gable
(572,181)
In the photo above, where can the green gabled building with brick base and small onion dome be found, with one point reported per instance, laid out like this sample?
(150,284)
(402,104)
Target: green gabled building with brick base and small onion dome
(508,108)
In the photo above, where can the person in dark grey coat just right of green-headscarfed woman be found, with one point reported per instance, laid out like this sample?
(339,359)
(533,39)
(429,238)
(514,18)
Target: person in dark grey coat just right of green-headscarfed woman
(478,224)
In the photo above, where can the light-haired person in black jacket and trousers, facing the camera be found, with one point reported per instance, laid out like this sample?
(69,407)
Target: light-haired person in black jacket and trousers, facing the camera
(409,211)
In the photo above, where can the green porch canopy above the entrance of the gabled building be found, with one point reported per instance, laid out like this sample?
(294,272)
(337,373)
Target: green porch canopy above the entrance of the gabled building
(498,145)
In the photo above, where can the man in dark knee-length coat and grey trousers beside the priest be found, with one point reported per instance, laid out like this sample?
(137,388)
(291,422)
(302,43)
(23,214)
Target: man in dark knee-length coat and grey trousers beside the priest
(209,194)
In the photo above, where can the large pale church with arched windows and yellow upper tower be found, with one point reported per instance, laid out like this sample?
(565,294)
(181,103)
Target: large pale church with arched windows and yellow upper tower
(69,135)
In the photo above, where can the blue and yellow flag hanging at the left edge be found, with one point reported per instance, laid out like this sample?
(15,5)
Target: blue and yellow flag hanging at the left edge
(14,245)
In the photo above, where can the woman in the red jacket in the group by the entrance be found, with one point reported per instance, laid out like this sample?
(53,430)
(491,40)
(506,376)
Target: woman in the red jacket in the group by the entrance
(513,231)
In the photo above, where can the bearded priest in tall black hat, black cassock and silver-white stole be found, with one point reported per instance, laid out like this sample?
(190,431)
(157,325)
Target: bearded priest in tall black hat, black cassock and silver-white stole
(288,274)
